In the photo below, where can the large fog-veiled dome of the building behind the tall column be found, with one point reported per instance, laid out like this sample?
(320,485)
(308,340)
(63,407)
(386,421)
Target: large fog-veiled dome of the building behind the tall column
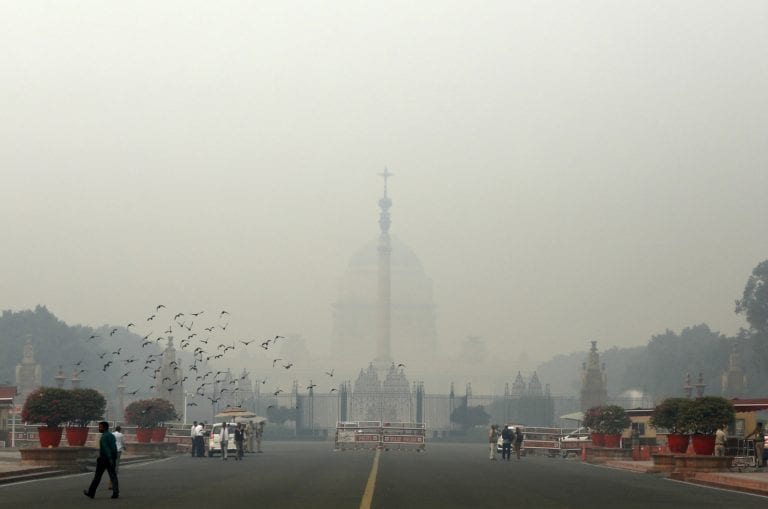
(413,329)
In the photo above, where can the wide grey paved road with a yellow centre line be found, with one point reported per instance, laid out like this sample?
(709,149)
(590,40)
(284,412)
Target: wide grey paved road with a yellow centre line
(311,475)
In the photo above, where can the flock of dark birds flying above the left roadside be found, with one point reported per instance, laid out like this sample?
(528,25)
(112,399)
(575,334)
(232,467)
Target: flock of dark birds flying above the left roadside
(199,341)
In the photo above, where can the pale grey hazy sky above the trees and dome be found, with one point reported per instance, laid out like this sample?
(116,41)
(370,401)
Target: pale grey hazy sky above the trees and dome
(566,171)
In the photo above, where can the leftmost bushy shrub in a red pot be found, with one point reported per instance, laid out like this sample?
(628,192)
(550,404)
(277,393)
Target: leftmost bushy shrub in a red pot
(49,406)
